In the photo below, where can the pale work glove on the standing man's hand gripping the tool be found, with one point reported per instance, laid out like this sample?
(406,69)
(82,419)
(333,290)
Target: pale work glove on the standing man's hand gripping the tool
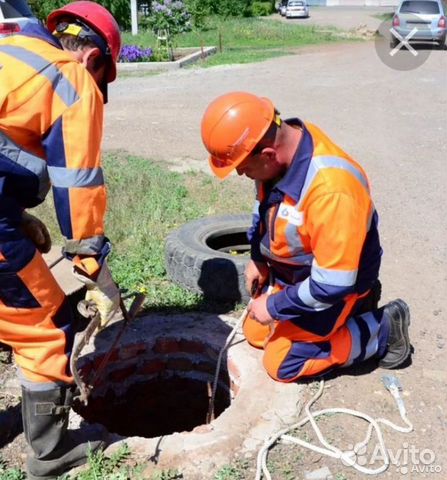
(103,292)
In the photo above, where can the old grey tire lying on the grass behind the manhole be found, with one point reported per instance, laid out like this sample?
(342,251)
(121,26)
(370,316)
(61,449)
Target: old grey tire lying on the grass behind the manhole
(197,257)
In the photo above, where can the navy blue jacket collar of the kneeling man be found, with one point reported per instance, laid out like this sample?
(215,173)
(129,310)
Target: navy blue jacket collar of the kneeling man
(292,182)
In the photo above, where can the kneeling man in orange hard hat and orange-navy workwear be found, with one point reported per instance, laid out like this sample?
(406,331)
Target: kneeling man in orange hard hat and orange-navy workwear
(314,241)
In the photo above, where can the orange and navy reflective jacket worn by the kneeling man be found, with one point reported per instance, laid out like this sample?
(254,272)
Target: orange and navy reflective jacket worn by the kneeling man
(317,228)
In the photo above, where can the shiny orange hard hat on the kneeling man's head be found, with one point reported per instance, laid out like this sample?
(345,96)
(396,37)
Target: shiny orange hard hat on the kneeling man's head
(232,126)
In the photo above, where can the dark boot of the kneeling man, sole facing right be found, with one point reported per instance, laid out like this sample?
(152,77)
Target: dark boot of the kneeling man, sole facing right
(398,348)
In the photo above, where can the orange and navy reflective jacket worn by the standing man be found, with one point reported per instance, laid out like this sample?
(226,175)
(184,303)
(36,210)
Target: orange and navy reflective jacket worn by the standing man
(51,116)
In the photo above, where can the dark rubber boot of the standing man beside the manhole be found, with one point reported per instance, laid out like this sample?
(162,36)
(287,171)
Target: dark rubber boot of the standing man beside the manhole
(54,450)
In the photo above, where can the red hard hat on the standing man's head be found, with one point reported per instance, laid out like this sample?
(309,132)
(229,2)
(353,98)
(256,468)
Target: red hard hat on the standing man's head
(100,20)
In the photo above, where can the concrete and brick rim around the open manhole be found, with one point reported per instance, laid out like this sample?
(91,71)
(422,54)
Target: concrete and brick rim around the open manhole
(260,408)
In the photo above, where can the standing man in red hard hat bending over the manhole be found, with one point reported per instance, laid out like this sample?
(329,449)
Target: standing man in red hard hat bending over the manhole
(53,88)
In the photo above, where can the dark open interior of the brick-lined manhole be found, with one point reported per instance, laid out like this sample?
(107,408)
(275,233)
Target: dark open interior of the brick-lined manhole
(148,403)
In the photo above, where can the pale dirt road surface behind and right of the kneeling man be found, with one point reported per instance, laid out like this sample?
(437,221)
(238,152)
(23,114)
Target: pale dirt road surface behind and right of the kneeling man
(394,124)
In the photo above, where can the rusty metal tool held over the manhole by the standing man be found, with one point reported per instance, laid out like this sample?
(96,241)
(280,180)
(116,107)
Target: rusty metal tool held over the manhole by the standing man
(89,311)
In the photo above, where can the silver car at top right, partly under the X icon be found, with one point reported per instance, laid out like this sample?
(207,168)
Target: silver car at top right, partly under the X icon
(427,16)
